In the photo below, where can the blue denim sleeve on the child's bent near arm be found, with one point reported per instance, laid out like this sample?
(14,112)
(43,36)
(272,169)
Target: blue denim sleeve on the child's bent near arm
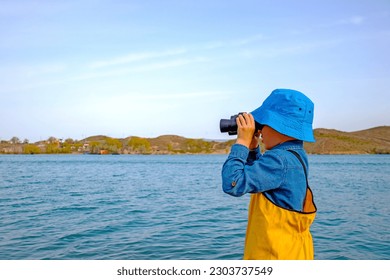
(242,174)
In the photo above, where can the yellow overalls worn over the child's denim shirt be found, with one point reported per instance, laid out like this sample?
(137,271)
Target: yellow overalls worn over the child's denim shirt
(275,233)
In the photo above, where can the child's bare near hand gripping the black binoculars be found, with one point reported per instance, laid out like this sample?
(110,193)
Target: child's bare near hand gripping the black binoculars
(246,131)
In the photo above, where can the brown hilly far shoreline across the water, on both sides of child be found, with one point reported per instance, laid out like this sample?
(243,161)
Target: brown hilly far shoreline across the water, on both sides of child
(328,141)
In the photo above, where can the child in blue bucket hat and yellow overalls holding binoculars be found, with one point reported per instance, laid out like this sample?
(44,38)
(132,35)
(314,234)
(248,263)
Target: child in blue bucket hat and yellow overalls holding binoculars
(281,208)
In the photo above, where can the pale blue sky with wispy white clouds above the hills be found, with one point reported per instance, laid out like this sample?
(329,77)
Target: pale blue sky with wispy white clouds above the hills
(72,69)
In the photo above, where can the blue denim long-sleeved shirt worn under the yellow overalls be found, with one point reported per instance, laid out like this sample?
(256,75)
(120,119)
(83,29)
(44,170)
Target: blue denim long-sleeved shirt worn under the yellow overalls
(277,173)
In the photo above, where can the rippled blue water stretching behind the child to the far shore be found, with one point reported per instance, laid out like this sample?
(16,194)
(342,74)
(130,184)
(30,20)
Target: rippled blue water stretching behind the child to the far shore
(172,207)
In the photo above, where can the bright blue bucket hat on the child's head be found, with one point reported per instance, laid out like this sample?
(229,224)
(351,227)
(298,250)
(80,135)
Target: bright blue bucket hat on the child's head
(289,112)
